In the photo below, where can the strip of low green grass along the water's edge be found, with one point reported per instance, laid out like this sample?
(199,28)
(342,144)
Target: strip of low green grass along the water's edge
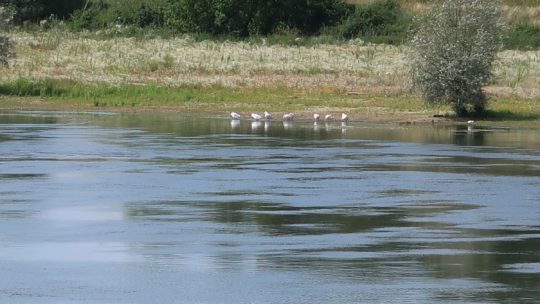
(67,95)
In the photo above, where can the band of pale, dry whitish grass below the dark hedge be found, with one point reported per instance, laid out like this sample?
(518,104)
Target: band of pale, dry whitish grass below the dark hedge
(370,70)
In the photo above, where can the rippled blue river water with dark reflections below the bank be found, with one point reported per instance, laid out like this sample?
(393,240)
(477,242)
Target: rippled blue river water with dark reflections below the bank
(164,209)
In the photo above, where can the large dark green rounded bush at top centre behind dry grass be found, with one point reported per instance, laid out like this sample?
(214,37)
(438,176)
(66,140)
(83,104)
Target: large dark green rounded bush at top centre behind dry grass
(252,17)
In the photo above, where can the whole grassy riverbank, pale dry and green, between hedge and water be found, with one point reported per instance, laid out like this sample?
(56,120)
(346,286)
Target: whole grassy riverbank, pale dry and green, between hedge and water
(62,70)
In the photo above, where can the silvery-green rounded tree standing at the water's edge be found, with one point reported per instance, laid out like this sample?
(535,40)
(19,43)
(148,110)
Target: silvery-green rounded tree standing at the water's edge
(453,47)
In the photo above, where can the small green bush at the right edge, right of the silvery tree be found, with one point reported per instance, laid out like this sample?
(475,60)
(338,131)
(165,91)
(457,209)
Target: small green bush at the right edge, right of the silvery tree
(523,36)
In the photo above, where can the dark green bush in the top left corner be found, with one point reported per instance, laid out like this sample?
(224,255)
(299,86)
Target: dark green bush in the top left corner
(36,10)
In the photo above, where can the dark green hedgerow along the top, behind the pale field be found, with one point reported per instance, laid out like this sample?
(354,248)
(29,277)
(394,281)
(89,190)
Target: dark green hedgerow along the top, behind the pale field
(378,21)
